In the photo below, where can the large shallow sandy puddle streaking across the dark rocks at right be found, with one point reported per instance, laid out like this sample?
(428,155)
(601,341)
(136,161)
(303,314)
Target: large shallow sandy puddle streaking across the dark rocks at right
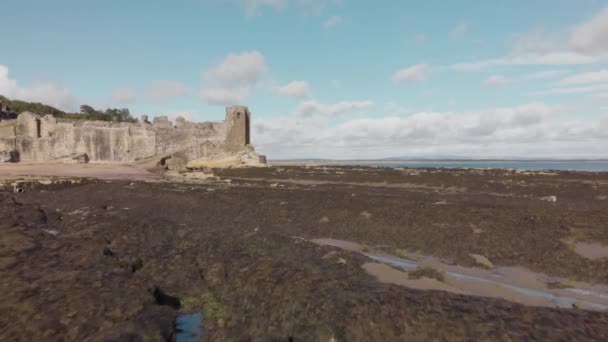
(515,284)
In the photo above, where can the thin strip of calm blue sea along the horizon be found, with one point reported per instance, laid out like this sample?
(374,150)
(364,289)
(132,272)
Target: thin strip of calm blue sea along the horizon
(595,166)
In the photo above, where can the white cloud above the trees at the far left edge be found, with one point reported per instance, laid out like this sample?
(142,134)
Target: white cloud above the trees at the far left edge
(49,93)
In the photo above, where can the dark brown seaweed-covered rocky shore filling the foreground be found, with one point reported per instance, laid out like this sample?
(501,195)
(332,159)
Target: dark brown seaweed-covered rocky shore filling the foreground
(125,259)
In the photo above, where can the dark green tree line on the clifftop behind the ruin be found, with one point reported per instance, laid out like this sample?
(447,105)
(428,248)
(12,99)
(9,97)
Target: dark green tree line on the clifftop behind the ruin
(86,112)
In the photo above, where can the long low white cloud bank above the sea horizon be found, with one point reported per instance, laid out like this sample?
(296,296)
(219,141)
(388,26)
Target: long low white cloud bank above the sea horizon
(534,129)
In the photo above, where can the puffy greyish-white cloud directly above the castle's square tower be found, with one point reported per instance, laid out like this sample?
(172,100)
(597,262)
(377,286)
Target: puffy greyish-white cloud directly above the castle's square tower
(231,81)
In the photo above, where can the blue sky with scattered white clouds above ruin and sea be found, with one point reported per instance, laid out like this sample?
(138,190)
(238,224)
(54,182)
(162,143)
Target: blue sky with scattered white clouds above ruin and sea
(343,79)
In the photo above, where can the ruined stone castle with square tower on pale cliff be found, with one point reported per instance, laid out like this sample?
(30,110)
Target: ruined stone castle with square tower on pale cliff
(36,138)
